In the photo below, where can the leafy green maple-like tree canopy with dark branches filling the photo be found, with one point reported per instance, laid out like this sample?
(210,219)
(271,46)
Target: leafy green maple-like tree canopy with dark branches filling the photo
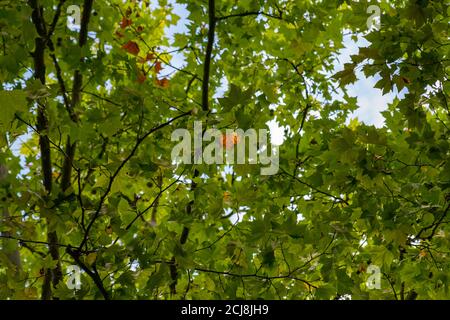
(92,91)
